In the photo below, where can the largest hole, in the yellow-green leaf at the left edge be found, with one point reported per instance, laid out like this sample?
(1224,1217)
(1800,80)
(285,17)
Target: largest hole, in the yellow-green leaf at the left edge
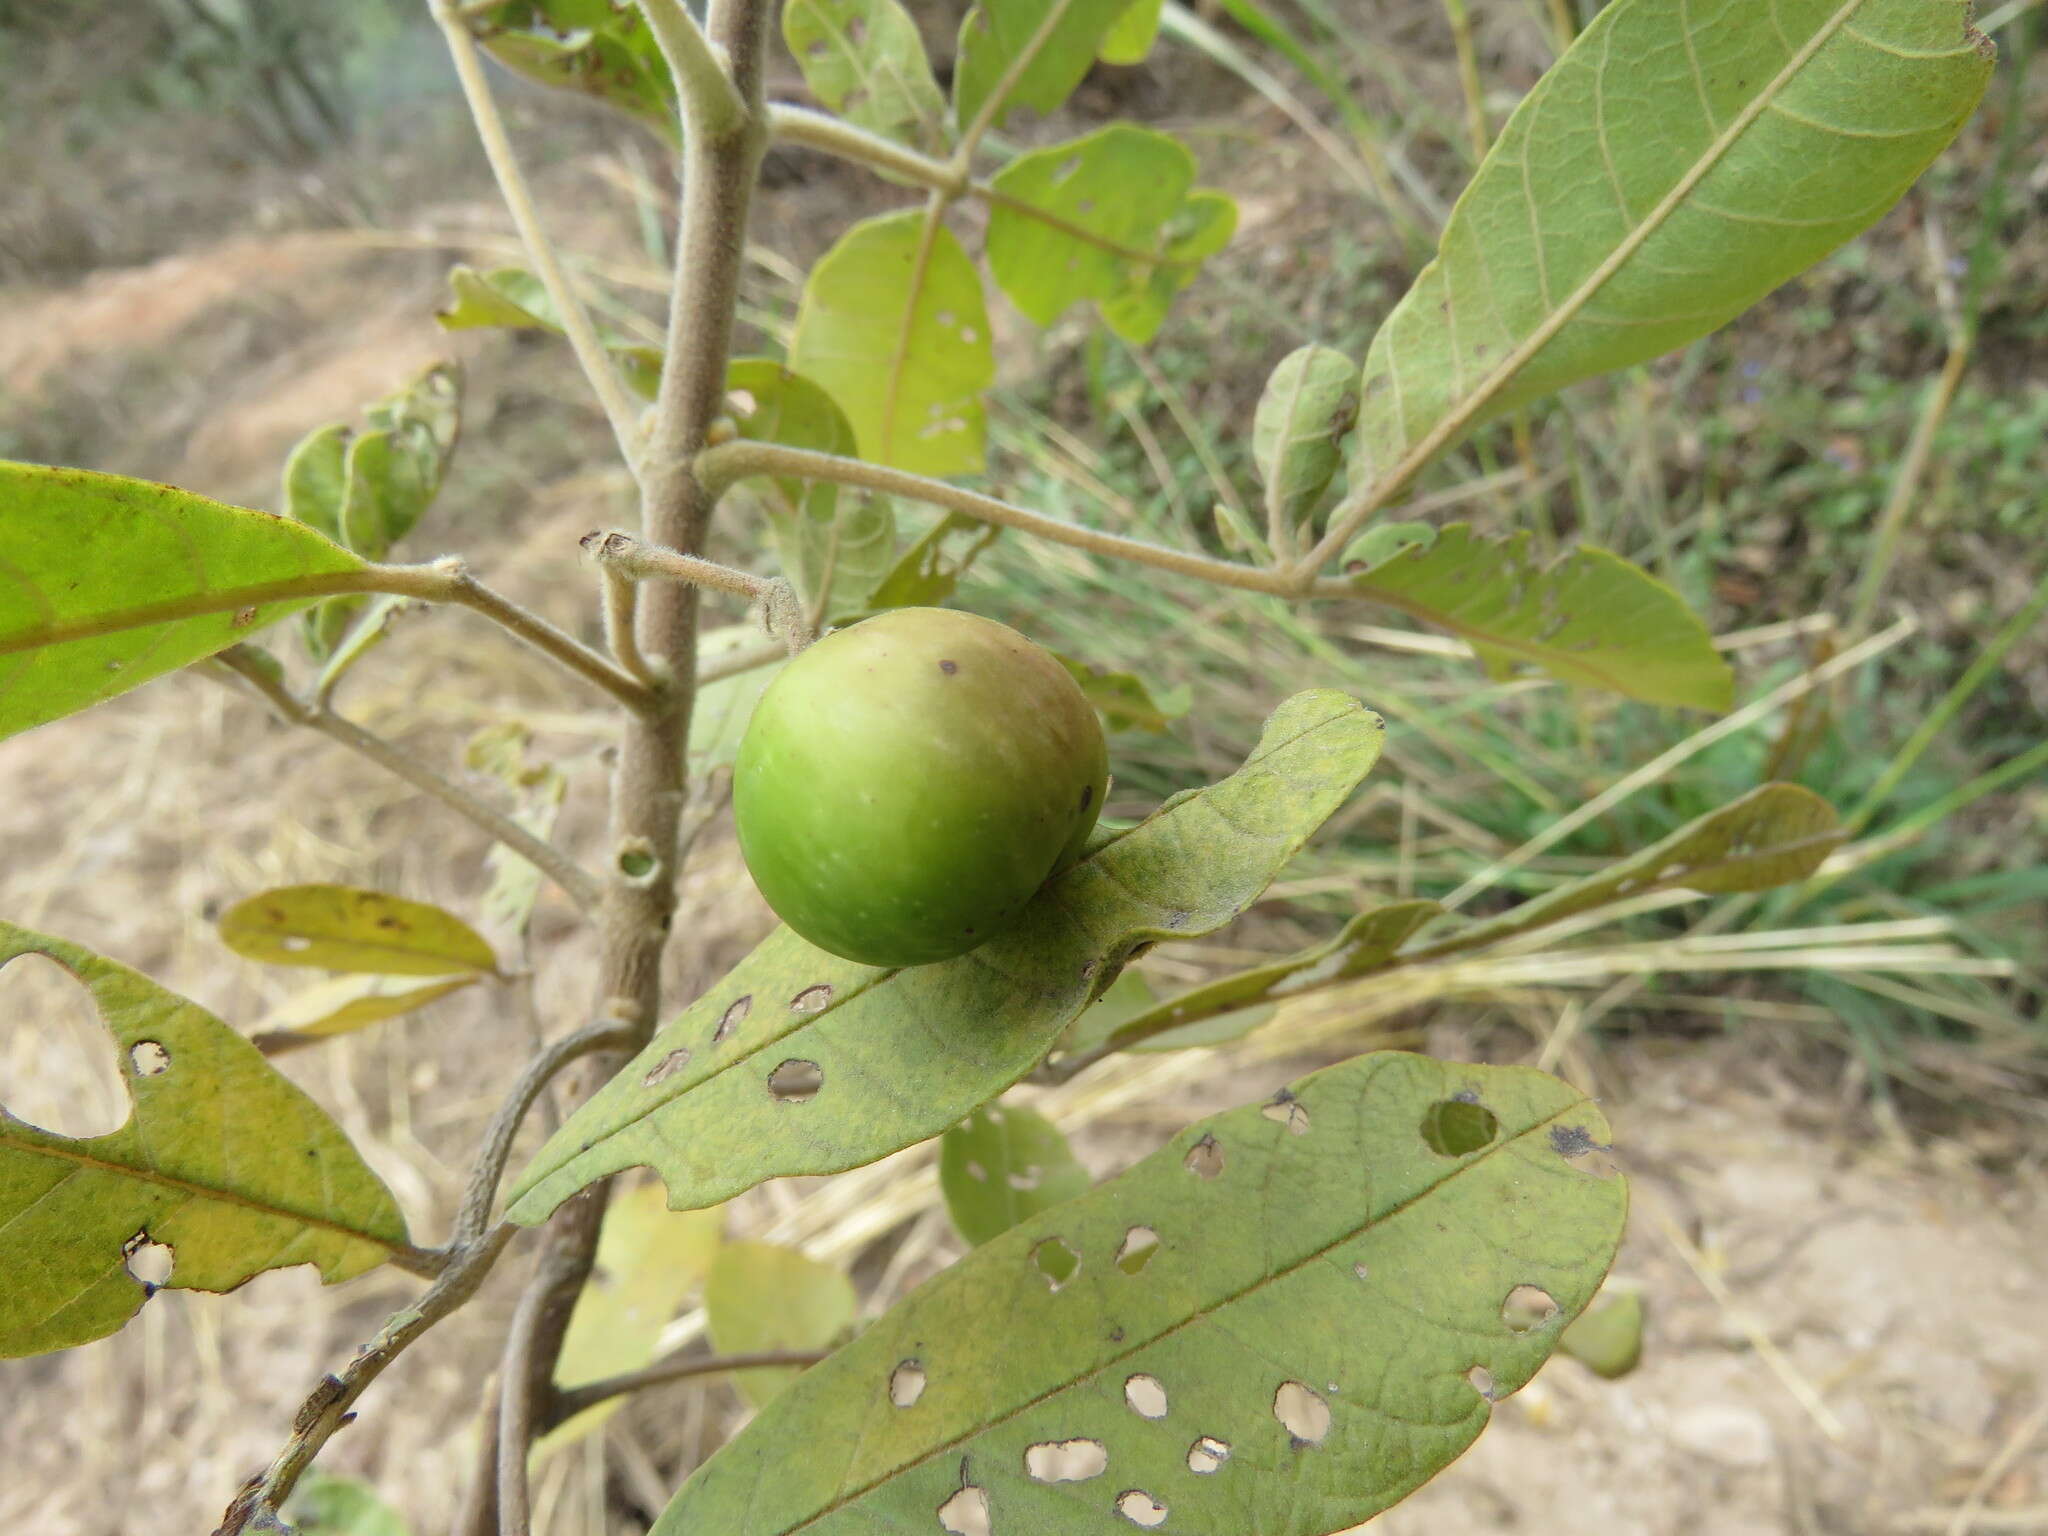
(56,1064)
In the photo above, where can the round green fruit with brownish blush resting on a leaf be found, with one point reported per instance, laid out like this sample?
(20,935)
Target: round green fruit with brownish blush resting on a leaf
(908,783)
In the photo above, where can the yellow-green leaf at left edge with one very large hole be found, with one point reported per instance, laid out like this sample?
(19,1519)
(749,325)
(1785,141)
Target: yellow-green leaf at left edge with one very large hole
(224,1162)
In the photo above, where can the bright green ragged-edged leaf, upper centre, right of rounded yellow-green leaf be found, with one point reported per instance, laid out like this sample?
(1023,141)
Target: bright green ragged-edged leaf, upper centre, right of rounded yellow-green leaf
(1093,220)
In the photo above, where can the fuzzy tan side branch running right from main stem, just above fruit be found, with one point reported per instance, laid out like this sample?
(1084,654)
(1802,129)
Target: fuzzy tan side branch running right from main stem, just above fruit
(734,462)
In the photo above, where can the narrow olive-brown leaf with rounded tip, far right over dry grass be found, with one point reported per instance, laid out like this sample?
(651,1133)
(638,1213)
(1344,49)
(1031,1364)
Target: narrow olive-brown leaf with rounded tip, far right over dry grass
(1770,837)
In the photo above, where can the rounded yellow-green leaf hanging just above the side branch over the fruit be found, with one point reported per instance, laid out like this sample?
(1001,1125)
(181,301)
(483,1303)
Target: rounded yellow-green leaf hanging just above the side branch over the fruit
(896,331)
